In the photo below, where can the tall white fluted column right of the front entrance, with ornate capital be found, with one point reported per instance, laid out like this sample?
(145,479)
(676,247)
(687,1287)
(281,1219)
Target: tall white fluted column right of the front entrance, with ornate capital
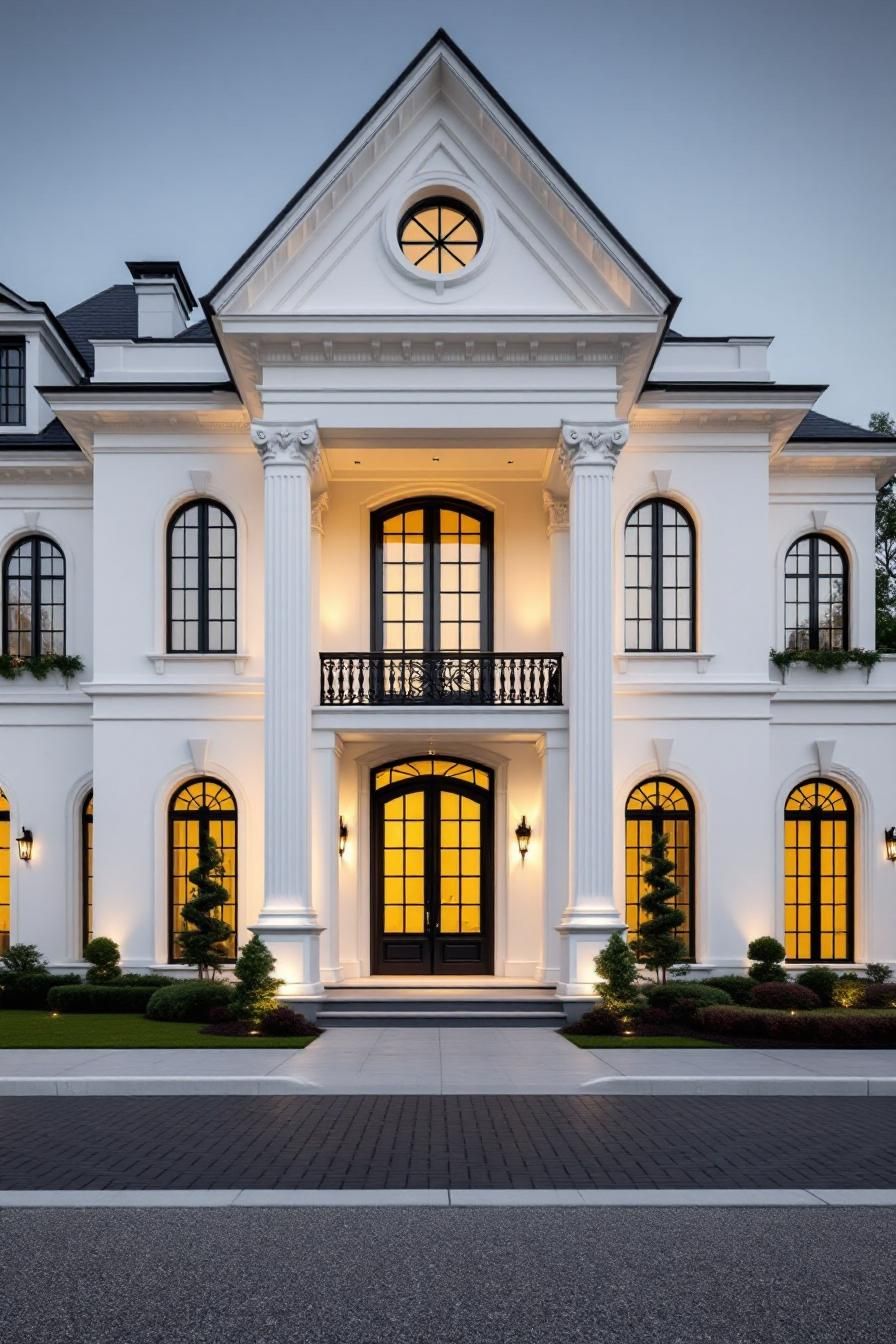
(589,455)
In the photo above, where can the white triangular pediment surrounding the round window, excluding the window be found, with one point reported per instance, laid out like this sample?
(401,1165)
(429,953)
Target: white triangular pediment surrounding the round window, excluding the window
(546,248)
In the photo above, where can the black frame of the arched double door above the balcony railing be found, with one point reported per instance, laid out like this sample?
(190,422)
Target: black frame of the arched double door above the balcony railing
(432,506)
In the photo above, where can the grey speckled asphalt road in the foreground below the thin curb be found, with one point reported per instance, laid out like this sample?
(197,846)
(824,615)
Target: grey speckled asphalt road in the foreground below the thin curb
(448,1276)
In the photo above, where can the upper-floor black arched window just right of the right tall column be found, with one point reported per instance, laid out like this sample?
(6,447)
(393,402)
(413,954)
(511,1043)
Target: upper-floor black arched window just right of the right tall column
(660,580)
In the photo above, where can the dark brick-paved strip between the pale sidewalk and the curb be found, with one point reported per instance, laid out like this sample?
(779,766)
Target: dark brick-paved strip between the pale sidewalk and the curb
(448,1143)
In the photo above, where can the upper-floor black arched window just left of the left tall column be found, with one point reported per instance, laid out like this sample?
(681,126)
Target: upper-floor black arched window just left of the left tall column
(202,580)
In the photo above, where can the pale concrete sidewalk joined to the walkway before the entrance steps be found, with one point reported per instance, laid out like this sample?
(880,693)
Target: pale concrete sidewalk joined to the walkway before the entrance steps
(447,1061)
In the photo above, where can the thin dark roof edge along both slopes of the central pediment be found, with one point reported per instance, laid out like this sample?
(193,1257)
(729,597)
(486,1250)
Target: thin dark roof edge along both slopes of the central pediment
(441,38)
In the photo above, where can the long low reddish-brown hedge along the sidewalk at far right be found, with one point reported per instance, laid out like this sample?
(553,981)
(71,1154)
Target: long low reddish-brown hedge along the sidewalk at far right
(821,1027)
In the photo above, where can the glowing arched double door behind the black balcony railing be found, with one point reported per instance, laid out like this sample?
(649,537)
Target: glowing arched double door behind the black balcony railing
(433,596)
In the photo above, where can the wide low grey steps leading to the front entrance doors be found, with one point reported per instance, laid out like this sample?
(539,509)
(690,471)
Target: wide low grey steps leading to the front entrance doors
(506,1007)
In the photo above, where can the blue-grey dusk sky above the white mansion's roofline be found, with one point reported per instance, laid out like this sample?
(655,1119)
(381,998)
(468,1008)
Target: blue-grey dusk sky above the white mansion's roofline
(748,151)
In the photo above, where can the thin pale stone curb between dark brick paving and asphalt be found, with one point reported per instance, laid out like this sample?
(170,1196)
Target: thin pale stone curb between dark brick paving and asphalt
(448,1198)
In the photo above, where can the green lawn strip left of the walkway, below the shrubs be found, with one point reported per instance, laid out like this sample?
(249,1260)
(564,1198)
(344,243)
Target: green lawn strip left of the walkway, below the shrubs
(22,1029)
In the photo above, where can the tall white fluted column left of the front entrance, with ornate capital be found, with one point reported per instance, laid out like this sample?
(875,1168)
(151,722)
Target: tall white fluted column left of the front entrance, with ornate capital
(288,921)
